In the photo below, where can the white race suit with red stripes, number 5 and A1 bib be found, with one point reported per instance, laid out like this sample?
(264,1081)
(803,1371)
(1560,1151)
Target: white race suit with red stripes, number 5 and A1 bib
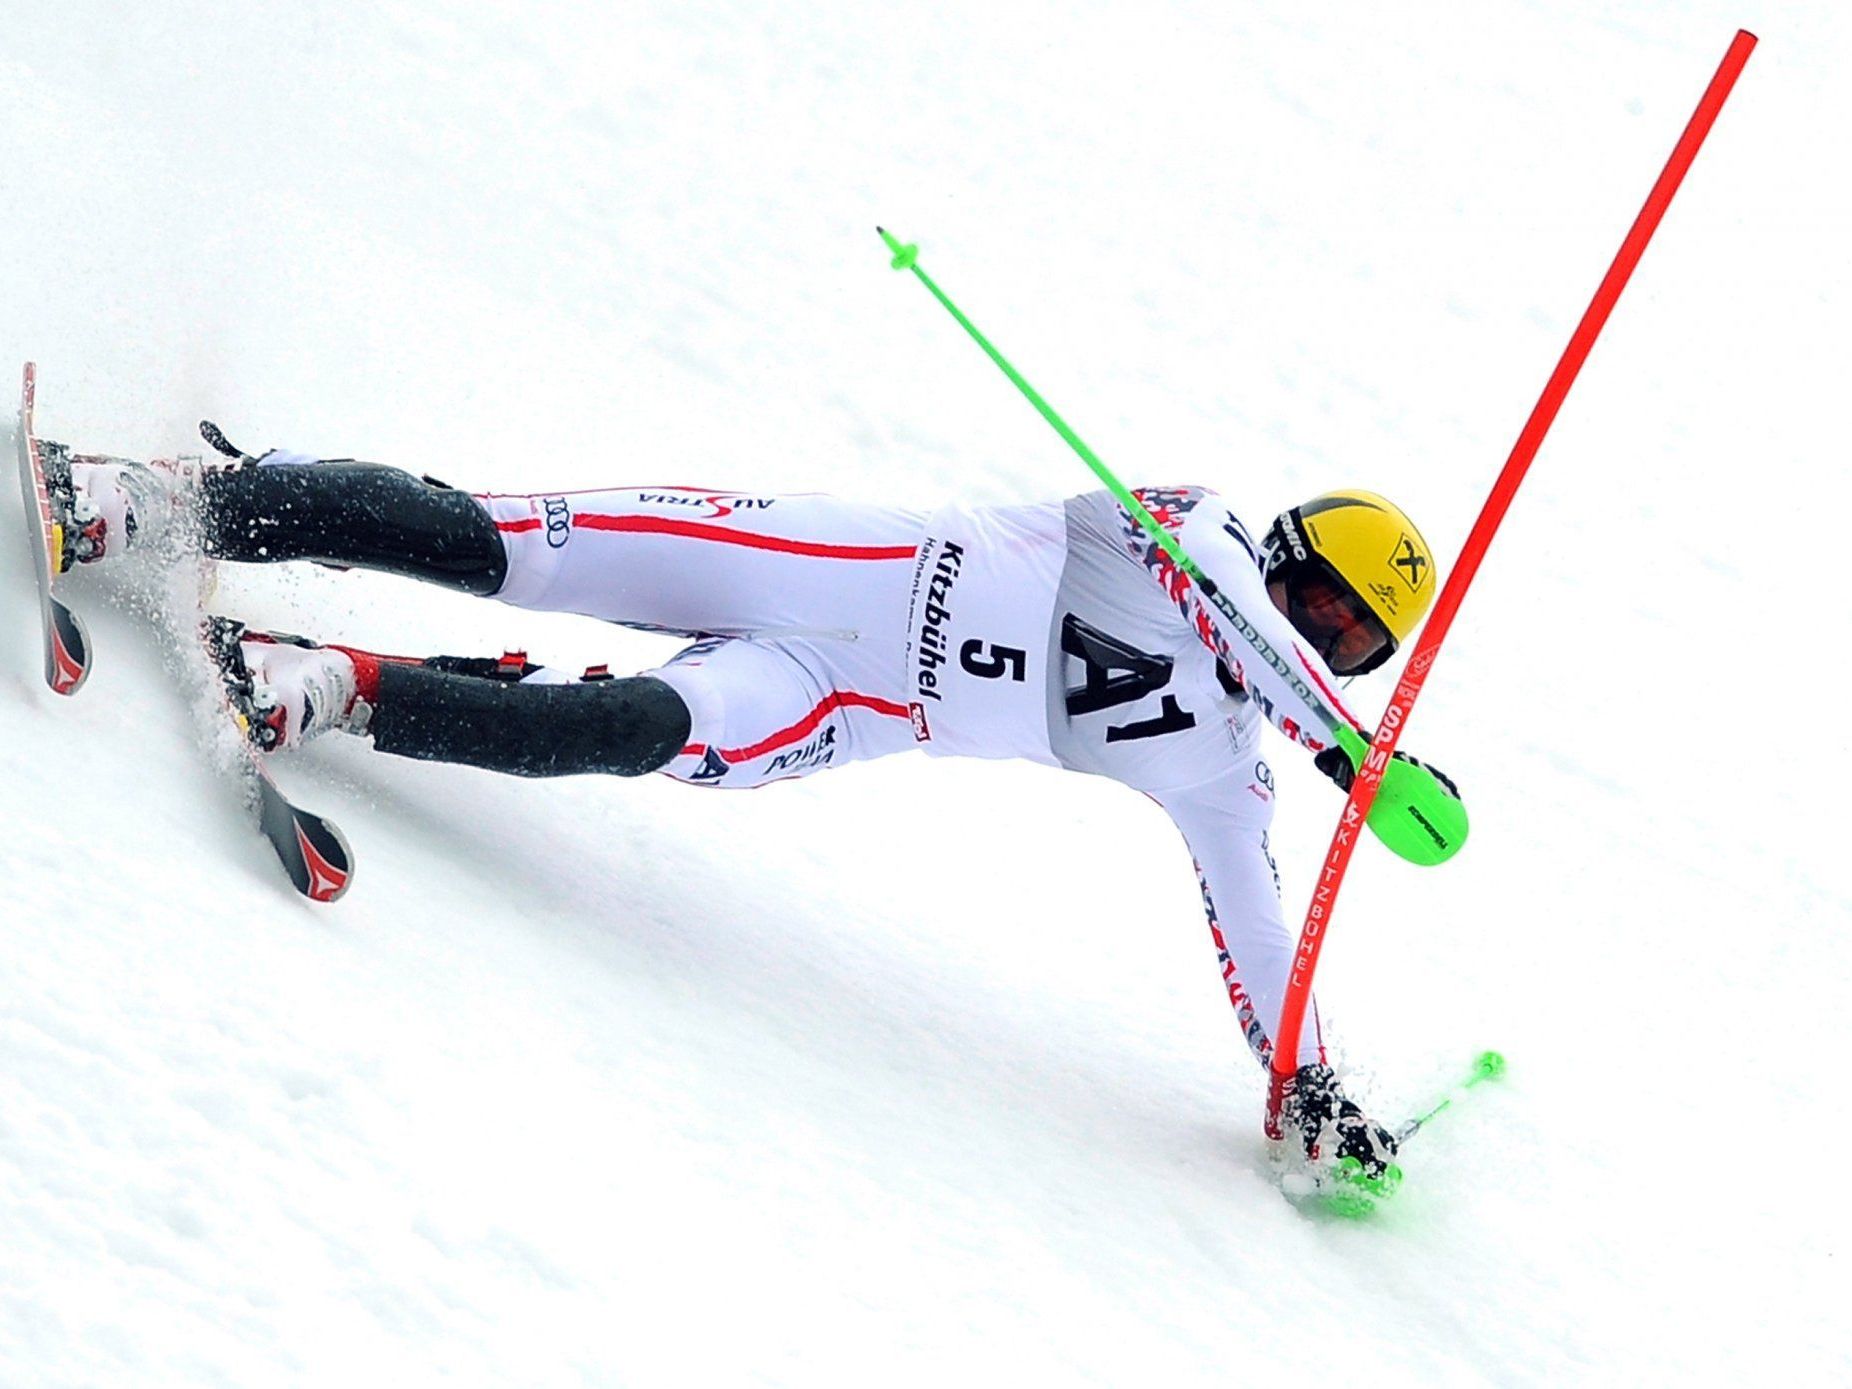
(829,632)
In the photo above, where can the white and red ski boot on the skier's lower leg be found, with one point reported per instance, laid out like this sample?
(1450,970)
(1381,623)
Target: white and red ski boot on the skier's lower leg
(284,690)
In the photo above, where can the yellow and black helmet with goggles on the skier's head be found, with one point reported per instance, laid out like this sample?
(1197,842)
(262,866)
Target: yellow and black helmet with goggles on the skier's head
(1383,568)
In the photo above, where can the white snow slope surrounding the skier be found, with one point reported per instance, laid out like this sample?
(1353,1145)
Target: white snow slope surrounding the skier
(923,1073)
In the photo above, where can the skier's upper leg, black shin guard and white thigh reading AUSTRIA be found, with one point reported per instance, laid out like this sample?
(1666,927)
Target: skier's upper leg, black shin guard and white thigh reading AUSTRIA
(681,560)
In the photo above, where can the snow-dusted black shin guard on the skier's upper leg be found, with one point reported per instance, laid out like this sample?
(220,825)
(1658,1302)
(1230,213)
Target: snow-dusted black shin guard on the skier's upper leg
(360,516)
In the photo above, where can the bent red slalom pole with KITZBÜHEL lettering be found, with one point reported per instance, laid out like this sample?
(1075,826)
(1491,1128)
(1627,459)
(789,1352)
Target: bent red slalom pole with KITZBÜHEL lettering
(1421,662)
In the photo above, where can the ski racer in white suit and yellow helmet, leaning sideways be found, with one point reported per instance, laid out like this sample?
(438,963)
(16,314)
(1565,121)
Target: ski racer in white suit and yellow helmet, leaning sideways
(829,632)
